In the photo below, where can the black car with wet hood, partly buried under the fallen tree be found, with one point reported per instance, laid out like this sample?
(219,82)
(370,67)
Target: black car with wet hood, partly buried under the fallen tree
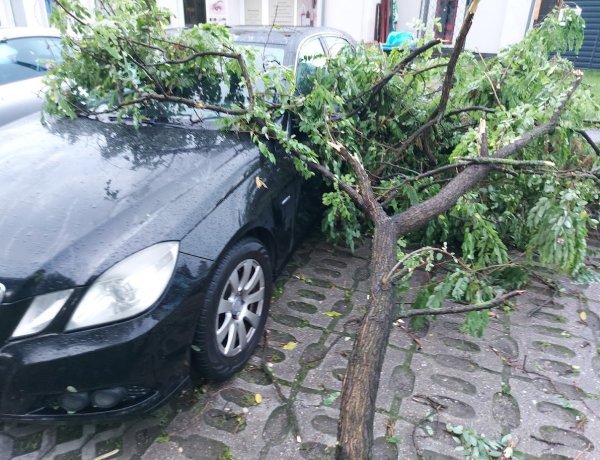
(133,258)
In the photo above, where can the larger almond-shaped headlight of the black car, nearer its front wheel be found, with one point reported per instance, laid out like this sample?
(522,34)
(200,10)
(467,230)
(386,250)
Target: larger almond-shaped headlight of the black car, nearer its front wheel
(127,288)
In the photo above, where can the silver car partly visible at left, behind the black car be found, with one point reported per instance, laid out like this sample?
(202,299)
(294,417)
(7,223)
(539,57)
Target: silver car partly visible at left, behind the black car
(26,54)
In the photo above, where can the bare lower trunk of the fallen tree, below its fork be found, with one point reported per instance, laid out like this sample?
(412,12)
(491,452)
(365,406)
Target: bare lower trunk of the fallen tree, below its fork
(361,382)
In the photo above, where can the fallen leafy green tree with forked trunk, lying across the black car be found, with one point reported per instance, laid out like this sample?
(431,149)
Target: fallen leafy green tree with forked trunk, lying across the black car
(470,156)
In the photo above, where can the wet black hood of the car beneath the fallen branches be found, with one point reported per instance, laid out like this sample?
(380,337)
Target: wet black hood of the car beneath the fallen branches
(78,195)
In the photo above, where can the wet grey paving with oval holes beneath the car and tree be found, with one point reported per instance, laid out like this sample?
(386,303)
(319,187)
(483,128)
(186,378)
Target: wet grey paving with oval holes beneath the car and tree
(534,374)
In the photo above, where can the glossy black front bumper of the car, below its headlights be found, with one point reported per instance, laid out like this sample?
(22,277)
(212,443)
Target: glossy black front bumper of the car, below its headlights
(144,359)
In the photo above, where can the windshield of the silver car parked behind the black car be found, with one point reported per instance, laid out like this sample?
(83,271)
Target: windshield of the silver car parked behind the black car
(27,57)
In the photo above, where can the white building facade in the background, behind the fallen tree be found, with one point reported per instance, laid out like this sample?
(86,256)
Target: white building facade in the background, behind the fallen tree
(498,23)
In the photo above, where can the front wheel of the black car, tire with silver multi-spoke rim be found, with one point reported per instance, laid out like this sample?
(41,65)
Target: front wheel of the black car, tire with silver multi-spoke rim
(234,312)
